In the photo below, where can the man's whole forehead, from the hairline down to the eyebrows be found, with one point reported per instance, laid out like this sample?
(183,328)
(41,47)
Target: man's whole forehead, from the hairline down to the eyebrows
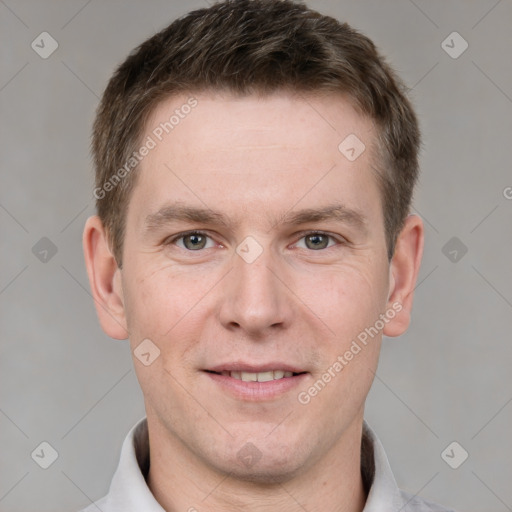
(251,152)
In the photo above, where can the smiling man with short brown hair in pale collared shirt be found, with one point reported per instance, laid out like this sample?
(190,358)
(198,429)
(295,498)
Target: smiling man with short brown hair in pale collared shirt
(255,163)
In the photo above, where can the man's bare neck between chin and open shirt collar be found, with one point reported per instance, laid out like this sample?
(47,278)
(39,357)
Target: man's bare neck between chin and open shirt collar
(179,480)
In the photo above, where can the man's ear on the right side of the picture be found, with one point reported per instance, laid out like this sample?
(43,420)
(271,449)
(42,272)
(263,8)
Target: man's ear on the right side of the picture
(403,272)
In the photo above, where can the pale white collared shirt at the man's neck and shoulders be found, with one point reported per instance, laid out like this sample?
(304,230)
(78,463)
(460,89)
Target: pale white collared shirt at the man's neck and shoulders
(130,493)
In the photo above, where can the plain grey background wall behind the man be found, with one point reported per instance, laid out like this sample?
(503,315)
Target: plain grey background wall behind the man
(448,379)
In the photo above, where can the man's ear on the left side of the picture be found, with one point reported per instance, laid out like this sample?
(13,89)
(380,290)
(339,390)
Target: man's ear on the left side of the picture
(104,279)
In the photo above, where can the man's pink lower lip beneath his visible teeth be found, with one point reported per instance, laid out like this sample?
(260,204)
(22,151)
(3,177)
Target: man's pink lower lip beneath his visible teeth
(257,391)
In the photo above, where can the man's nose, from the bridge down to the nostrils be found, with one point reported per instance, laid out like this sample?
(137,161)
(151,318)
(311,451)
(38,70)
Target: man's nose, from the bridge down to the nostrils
(255,298)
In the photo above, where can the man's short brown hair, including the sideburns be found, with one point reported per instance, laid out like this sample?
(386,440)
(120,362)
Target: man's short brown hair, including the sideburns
(247,47)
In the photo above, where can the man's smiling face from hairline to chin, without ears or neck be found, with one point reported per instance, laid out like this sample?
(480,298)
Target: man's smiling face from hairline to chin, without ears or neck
(254,244)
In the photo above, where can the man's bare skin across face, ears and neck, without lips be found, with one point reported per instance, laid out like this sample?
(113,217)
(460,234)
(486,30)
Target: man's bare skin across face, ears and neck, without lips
(255,160)
